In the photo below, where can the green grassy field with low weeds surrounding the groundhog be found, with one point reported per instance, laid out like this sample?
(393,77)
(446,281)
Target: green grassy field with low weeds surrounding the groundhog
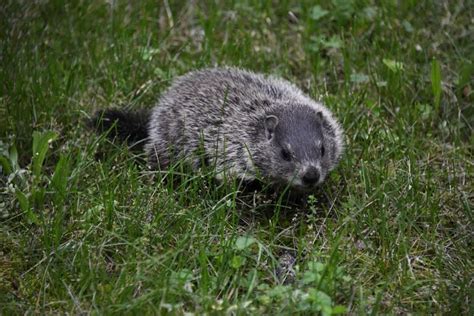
(85,228)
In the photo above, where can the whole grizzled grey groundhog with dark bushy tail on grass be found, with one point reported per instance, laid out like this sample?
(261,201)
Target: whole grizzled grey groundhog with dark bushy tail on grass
(245,125)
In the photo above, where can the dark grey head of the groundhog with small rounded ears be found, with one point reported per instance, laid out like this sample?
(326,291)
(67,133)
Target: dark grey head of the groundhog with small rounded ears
(300,146)
